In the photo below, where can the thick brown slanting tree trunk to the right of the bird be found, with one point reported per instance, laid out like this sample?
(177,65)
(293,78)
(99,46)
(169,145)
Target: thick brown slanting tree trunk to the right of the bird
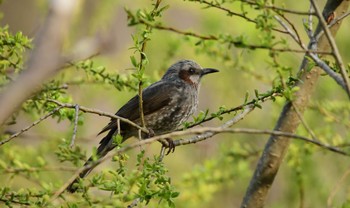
(289,120)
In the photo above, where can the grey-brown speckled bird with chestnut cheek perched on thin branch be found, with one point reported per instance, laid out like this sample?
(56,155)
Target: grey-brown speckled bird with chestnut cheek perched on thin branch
(167,103)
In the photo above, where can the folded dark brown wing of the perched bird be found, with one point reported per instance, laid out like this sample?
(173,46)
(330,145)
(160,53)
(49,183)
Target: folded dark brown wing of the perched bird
(155,97)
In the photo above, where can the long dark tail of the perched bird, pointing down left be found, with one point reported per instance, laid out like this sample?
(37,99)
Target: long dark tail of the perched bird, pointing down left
(106,145)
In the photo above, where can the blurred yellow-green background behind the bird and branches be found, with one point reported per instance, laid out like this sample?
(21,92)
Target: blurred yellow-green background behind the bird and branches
(215,172)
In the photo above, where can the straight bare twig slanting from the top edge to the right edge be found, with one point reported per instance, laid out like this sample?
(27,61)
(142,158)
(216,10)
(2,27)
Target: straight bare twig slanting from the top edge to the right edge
(334,47)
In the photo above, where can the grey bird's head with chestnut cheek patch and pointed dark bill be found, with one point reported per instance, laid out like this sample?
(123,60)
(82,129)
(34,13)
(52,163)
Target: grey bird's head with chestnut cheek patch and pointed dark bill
(188,71)
